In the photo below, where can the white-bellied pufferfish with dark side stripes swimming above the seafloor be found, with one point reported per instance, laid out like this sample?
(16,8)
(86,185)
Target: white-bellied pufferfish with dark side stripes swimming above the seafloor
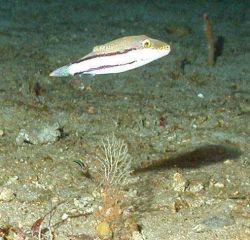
(117,56)
